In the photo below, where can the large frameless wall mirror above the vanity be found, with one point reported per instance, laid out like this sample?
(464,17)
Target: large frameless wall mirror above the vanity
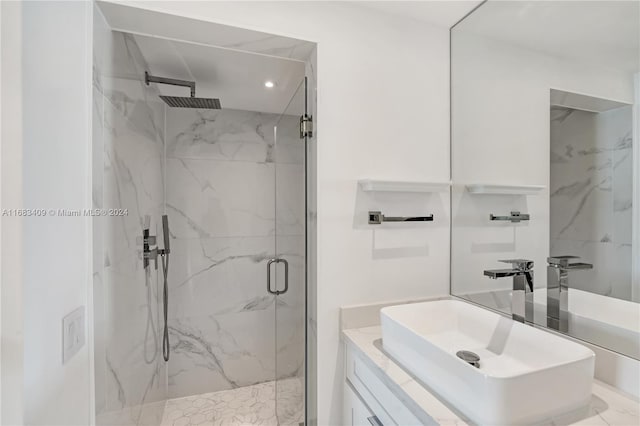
(545,165)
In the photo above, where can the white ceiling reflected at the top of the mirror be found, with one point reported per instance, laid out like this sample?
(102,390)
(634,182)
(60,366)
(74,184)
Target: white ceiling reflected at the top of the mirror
(606,32)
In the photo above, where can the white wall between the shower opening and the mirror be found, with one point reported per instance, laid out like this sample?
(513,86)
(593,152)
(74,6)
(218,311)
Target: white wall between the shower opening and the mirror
(382,113)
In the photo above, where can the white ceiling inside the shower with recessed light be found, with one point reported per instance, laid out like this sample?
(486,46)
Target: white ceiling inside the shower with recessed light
(236,78)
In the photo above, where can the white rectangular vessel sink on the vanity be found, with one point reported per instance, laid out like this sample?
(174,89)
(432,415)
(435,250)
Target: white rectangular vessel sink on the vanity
(525,375)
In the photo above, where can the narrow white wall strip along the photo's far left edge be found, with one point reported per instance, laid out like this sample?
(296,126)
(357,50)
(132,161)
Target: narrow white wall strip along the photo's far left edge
(11,367)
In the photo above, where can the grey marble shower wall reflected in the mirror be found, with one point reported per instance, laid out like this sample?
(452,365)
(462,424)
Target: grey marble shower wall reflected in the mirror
(591,196)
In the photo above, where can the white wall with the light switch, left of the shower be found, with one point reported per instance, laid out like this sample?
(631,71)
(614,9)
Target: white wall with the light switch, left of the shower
(56,72)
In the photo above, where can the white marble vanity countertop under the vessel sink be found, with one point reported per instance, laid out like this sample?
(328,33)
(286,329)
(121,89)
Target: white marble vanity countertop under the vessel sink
(608,407)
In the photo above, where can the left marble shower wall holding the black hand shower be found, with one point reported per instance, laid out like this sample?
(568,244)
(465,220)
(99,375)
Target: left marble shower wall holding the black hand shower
(128,152)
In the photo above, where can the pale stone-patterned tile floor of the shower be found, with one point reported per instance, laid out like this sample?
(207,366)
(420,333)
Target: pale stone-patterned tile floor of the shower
(249,405)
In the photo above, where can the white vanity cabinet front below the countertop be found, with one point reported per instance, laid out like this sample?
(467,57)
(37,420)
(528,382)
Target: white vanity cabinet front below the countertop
(368,401)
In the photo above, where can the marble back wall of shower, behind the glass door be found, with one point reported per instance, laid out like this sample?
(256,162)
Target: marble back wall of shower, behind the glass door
(227,182)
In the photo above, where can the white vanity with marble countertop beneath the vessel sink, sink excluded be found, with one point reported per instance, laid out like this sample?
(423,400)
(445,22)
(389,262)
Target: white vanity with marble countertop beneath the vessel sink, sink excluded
(378,391)
